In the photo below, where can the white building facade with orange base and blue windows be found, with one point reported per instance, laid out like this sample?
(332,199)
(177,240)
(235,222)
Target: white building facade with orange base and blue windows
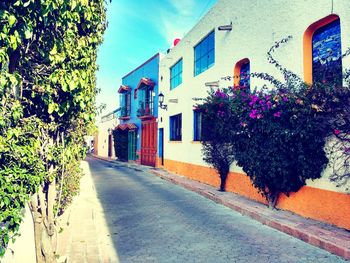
(233,39)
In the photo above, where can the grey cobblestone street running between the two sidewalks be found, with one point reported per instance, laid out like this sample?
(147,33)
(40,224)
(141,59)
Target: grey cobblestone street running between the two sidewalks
(151,220)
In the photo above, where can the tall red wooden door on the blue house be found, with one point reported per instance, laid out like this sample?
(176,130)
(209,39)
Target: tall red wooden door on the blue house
(149,142)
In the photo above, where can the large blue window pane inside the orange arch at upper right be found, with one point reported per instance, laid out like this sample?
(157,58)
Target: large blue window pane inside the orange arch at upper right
(326,54)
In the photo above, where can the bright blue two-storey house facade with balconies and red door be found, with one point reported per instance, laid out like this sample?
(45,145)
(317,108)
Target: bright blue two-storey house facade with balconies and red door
(137,132)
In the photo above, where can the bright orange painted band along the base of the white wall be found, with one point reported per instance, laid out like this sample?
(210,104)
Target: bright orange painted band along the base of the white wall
(323,205)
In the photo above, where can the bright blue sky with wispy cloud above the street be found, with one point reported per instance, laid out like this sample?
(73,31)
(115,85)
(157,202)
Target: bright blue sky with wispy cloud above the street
(137,30)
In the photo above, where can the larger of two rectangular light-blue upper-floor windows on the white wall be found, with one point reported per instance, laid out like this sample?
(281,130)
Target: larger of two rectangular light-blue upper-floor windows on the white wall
(204,54)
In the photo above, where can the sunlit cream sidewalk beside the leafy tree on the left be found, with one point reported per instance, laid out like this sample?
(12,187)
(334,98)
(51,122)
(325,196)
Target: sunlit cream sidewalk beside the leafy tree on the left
(85,236)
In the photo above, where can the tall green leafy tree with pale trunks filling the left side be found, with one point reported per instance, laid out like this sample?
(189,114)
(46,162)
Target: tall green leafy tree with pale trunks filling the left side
(48,64)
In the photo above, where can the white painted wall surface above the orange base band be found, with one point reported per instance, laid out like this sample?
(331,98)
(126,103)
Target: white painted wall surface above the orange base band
(257,24)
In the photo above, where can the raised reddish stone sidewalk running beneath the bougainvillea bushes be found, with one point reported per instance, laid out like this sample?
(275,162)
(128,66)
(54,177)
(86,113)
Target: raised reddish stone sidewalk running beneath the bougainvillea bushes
(322,235)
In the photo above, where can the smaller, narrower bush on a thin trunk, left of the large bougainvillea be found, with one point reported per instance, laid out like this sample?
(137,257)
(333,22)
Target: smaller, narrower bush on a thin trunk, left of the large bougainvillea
(217,120)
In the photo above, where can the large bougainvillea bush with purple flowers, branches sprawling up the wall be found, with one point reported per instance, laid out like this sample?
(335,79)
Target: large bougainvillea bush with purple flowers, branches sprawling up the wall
(285,129)
